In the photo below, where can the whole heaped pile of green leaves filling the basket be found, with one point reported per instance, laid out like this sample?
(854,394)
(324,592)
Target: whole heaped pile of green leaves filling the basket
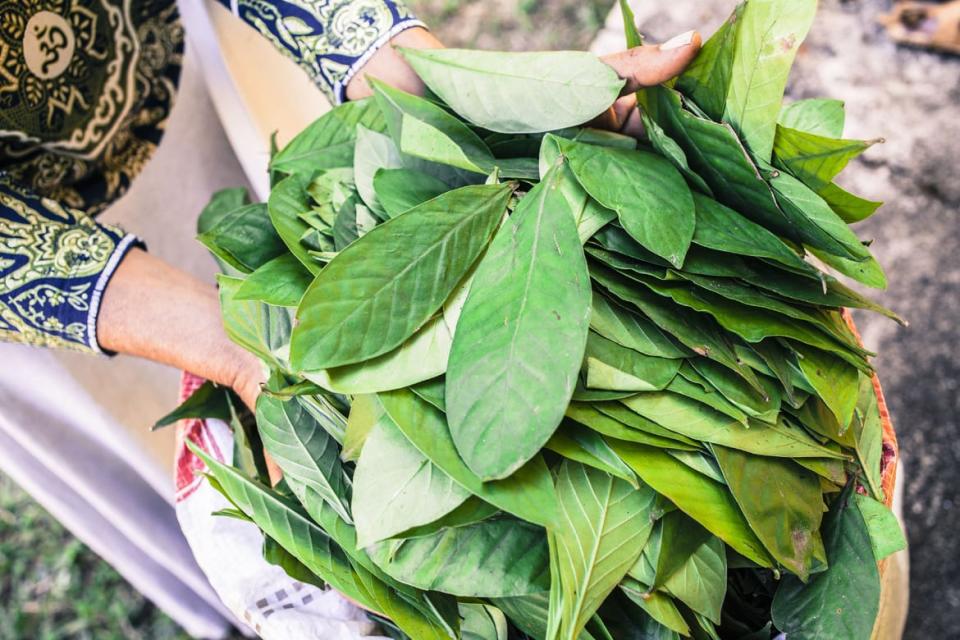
(536,380)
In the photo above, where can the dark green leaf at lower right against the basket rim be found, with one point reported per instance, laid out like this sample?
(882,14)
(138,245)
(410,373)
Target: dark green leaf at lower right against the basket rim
(843,601)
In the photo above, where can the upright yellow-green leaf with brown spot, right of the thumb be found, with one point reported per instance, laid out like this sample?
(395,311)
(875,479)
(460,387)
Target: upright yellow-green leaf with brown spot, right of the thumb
(767,41)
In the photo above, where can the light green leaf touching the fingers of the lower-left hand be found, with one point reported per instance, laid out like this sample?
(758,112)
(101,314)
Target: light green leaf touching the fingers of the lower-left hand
(262,329)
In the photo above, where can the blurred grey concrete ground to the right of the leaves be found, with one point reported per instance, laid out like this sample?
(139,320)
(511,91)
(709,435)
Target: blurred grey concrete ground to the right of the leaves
(912,99)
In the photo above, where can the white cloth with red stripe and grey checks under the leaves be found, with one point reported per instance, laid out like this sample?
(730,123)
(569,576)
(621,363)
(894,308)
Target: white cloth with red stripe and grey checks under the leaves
(275,606)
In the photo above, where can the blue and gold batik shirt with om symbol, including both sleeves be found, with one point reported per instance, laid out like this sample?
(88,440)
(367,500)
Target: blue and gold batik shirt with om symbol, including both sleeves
(85,89)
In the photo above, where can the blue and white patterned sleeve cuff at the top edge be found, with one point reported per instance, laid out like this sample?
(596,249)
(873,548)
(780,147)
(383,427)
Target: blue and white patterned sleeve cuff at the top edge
(329,39)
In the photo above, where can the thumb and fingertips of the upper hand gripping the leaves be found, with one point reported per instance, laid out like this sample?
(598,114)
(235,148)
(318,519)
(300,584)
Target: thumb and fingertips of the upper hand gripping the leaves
(645,66)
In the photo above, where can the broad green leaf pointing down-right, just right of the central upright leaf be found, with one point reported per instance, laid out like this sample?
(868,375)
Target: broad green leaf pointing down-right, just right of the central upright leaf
(651,198)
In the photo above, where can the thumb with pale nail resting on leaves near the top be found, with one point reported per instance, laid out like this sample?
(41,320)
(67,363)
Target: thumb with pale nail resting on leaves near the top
(651,65)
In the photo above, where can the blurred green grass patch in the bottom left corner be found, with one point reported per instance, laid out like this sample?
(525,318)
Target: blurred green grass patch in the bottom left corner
(52,587)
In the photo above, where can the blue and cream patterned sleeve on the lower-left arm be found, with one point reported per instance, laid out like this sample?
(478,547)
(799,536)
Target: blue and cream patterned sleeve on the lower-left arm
(54,265)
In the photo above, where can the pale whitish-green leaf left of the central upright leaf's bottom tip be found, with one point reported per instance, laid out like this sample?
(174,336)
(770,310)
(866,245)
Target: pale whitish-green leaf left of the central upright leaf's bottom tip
(397,488)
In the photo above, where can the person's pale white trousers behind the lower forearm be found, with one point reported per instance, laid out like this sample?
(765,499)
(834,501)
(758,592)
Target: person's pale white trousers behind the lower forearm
(75,429)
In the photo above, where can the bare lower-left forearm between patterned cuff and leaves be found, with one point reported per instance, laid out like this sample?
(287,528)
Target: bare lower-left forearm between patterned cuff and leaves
(154,310)
